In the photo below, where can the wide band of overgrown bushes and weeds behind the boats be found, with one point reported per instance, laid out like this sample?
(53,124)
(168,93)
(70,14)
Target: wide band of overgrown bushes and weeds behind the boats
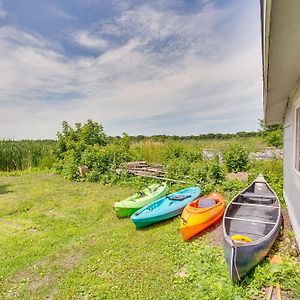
(88,145)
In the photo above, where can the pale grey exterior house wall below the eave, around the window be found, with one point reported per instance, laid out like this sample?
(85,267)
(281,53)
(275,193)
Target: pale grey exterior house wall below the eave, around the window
(291,185)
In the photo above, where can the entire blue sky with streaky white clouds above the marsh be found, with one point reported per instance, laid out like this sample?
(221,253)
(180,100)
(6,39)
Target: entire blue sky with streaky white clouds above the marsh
(144,67)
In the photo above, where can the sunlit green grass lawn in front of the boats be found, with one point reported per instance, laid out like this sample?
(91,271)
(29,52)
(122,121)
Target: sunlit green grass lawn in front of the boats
(62,240)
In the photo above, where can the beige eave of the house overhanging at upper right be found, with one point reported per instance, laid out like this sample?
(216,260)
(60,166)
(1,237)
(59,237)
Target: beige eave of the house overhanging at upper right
(281,56)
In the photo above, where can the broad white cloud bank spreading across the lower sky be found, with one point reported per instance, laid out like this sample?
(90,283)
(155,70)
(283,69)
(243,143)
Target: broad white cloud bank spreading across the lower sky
(174,74)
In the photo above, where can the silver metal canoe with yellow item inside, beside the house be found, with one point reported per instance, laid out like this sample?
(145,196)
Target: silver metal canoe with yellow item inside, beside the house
(251,224)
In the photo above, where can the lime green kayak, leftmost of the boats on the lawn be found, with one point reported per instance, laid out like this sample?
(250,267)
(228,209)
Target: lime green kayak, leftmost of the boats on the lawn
(140,199)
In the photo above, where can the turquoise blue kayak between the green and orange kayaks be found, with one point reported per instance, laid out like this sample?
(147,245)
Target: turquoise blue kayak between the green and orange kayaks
(165,208)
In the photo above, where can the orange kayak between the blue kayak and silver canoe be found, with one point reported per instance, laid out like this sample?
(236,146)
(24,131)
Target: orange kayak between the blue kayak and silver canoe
(200,214)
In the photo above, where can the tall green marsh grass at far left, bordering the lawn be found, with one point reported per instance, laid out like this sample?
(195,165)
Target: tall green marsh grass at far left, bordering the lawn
(21,155)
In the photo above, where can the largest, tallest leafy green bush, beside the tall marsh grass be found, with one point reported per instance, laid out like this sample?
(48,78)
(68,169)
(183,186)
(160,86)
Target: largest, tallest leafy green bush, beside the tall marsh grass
(88,145)
